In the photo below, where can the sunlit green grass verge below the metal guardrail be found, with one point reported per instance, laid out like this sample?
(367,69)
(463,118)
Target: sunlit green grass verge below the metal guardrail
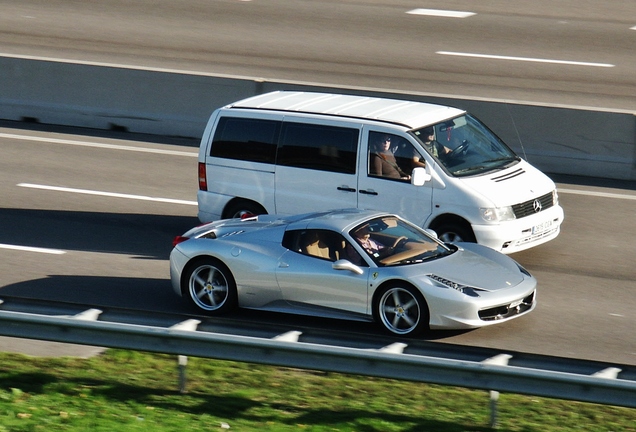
(132,391)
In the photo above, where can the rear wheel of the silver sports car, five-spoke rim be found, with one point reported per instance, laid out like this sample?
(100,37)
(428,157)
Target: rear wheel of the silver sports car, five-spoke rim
(210,286)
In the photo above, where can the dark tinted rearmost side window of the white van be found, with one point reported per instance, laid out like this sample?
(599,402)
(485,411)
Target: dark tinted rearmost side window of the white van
(246,139)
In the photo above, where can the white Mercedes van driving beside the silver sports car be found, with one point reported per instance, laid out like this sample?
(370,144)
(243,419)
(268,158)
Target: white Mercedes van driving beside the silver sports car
(439,167)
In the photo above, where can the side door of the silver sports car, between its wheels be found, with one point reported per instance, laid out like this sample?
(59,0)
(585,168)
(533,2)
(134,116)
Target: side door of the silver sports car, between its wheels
(311,281)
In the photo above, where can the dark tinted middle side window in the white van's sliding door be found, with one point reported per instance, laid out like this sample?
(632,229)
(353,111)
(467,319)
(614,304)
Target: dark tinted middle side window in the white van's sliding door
(324,148)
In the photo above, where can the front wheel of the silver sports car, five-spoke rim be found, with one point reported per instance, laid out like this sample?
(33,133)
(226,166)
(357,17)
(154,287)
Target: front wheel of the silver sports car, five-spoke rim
(401,310)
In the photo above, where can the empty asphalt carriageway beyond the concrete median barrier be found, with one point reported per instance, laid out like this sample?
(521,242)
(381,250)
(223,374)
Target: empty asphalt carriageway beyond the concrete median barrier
(544,51)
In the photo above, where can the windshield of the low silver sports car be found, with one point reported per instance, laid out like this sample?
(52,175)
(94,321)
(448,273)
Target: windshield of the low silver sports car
(391,241)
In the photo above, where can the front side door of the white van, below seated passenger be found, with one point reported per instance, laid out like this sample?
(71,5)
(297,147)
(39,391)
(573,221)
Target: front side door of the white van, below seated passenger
(377,191)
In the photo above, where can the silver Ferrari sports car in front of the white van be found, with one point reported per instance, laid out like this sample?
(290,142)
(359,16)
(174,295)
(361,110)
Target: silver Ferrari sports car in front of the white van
(349,264)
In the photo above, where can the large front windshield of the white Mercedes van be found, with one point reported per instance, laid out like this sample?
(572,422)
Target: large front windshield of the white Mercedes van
(464,146)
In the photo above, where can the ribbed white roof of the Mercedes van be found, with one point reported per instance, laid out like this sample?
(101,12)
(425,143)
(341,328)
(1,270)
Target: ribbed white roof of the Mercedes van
(407,113)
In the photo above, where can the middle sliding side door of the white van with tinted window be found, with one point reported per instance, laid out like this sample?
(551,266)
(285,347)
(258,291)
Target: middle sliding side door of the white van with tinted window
(316,166)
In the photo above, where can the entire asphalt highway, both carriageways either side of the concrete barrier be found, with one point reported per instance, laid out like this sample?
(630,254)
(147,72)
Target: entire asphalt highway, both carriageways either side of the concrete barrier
(103,214)
